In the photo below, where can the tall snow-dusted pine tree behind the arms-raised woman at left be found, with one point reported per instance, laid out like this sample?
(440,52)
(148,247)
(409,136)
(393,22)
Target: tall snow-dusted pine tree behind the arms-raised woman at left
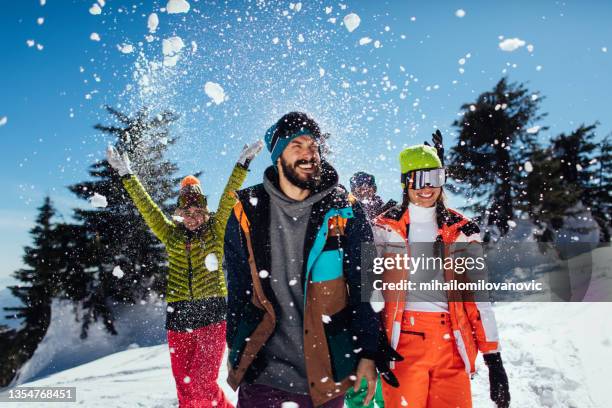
(123,260)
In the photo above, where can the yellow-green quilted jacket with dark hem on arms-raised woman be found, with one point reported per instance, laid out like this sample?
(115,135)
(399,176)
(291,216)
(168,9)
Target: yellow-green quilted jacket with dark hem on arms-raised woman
(195,295)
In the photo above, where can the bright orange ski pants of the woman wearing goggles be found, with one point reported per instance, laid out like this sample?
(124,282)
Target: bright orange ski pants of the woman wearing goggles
(432,374)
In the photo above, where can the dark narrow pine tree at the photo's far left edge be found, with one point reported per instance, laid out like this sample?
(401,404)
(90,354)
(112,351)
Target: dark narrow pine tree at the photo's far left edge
(36,288)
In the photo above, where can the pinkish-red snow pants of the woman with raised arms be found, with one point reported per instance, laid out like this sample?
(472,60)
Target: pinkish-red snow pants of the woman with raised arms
(195,358)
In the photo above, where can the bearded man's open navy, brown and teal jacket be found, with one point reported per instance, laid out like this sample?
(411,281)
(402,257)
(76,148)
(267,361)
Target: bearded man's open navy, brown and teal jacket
(338,326)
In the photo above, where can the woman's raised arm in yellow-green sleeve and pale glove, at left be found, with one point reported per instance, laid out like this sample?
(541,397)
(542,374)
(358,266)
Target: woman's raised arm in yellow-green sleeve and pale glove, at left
(151,213)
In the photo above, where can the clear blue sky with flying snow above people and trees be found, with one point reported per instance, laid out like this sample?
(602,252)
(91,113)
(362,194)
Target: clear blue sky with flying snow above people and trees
(270,58)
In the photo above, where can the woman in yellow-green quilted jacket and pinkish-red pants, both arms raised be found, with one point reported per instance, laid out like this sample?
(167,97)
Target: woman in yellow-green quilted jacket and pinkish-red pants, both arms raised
(196,291)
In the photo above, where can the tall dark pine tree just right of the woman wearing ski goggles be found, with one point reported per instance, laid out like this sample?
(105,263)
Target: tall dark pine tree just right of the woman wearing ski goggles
(494,140)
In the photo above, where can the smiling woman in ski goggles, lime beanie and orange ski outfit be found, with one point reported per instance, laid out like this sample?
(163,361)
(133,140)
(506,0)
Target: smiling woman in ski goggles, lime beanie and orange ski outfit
(438,336)
